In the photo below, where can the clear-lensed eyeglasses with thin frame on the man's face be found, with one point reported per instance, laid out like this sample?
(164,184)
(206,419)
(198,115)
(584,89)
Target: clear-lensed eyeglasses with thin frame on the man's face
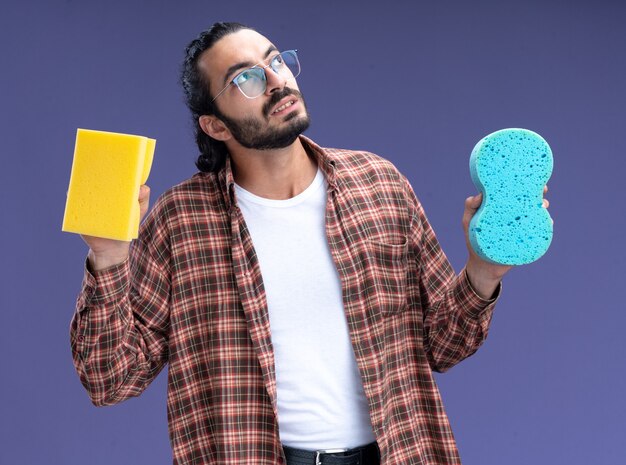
(252,82)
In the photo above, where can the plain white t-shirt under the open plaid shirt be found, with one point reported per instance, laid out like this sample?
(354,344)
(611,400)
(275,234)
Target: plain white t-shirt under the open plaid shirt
(321,403)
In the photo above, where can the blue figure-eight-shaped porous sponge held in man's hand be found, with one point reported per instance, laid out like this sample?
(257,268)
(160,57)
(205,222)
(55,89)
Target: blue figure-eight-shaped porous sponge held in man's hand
(510,167)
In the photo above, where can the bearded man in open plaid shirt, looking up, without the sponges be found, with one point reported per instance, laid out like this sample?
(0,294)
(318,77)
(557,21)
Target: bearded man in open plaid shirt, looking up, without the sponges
(298,294)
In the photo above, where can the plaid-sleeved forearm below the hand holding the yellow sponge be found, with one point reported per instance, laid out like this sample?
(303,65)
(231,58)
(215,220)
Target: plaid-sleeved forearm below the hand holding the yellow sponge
(109,350)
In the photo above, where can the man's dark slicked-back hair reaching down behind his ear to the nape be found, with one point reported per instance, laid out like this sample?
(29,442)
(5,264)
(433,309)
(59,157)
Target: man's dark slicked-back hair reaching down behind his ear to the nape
(198,98)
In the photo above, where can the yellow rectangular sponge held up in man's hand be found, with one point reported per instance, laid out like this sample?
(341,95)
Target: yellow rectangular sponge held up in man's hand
(107,171)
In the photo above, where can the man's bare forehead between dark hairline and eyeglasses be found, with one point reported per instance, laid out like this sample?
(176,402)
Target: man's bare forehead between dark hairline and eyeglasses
(242,46)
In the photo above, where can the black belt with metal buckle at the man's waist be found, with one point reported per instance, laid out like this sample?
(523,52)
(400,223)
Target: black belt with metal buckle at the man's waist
(365,455)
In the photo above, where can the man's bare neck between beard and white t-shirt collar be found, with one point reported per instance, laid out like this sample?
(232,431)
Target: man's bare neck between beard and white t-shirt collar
(273,174)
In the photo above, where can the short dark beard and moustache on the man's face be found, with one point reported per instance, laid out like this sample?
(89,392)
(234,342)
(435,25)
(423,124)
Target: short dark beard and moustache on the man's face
(252,133)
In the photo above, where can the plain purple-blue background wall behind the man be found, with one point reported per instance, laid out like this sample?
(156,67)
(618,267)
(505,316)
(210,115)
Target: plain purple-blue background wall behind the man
(416,82)
